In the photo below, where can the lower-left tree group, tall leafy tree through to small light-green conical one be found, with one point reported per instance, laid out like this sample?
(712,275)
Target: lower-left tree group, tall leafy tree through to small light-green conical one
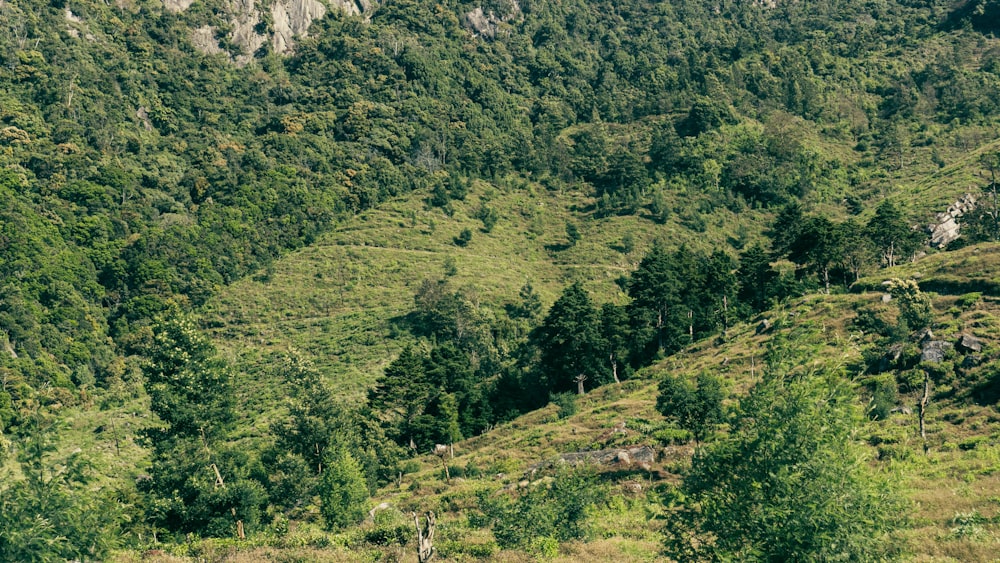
(208,478)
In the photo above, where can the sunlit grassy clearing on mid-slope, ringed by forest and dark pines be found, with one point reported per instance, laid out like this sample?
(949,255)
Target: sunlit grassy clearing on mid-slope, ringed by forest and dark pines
(338,302)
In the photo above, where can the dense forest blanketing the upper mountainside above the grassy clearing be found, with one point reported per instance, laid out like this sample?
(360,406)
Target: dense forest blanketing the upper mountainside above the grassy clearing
(143,174)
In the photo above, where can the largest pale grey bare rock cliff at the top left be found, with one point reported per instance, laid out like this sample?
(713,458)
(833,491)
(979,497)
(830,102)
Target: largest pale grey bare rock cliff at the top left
(252,25)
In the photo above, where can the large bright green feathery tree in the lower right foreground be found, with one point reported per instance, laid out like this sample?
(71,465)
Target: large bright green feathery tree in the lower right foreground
(763,493)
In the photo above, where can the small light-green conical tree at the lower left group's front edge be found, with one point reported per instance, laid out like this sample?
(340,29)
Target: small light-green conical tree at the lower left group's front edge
(342,491)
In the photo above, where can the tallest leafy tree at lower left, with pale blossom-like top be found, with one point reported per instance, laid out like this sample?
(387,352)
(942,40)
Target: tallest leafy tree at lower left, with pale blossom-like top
(200,482)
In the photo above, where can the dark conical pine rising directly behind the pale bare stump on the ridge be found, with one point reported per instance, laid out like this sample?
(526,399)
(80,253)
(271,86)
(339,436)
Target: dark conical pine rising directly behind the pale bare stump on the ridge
(569,344)
